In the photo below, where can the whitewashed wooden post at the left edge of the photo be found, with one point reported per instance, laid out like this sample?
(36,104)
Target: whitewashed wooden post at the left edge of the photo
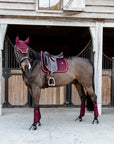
(3,28)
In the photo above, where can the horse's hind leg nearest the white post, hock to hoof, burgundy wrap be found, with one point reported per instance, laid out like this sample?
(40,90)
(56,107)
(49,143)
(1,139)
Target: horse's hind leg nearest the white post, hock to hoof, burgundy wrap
(94,99)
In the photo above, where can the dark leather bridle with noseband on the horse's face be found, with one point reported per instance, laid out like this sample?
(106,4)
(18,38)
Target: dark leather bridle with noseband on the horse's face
(17,56)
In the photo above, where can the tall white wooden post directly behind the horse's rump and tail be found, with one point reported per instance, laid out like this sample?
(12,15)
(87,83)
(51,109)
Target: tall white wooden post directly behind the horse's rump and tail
(97,38)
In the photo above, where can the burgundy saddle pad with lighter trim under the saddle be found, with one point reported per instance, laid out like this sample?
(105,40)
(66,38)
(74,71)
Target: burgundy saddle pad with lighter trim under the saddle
(61,63)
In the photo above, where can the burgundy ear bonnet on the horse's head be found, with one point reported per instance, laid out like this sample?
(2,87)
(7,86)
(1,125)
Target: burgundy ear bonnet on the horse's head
(22,45)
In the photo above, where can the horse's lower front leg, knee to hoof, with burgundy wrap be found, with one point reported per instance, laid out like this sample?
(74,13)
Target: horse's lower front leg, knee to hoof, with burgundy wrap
(37,114)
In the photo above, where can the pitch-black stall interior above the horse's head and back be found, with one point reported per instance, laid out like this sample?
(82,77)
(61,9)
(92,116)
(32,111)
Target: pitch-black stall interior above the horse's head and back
(70,40)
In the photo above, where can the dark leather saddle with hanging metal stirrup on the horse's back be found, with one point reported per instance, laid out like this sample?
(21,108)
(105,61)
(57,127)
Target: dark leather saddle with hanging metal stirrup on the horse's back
(50,62)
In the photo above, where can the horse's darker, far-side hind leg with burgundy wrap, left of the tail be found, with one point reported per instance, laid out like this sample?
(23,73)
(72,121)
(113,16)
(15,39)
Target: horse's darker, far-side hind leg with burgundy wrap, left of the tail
(83,99)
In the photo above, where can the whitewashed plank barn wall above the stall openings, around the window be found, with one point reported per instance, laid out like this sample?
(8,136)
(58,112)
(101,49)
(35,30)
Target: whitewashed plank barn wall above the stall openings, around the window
(24,12)
